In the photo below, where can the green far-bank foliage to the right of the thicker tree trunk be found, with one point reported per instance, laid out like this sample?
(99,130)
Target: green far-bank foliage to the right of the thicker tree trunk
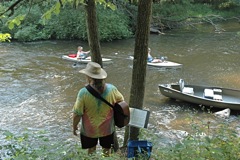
(175,14)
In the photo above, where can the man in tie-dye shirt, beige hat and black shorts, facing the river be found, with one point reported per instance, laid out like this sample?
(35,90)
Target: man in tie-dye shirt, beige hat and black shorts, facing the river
(95,115)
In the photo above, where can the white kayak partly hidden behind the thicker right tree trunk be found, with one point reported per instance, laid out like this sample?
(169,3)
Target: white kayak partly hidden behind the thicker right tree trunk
(164,64)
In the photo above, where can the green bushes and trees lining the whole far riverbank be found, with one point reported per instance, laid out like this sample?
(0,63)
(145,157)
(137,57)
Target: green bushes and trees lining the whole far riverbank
(116,24)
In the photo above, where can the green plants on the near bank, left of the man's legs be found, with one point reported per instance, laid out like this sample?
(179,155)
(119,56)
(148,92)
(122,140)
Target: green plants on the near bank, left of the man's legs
(36,145)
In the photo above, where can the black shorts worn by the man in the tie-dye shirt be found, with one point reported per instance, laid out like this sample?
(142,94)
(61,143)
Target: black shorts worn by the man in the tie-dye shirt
(105,142)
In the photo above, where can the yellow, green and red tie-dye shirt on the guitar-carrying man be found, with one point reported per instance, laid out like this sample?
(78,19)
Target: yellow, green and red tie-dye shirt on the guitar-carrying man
(96,116)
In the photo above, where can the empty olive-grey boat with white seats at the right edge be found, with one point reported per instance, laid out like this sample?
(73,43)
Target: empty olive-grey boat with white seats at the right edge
(205,95)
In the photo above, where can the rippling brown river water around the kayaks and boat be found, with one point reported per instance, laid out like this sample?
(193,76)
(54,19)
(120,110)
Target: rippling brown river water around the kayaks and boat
(38,88)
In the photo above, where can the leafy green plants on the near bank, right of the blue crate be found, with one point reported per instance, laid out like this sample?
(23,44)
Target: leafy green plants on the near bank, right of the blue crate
(223,144)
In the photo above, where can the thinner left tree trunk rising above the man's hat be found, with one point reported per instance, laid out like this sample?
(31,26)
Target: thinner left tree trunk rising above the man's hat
(92,29)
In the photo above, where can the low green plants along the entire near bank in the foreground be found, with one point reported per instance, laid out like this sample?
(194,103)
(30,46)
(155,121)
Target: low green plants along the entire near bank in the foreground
(220,142)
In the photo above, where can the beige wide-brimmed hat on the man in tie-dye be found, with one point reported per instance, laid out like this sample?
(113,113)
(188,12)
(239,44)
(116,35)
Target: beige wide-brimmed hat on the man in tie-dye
(94,70)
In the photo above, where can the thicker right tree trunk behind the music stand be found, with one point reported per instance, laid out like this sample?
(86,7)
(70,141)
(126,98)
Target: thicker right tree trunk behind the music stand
(140,59)
